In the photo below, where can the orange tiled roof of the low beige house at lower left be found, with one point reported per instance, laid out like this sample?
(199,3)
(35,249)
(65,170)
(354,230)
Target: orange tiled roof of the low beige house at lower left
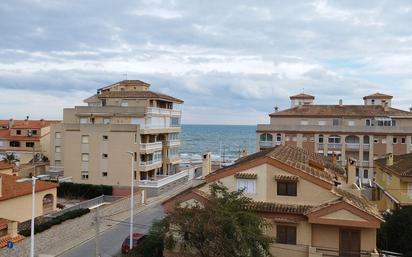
(11,188)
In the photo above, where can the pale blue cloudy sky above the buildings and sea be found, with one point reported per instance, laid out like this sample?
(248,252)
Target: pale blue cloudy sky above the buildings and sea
(231,61)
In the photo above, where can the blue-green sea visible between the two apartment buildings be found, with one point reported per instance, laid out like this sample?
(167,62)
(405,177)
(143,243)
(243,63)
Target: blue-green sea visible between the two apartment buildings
(224,141)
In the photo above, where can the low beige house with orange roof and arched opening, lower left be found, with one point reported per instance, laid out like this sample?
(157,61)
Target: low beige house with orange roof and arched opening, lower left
(16,203)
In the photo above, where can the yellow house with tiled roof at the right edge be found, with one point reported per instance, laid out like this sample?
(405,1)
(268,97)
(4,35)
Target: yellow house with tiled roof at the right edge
(393,181)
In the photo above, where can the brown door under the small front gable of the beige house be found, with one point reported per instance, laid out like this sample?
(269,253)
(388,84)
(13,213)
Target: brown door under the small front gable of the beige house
(349,243)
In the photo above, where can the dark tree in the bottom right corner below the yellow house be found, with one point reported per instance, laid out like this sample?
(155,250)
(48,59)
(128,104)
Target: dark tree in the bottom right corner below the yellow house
(396,233)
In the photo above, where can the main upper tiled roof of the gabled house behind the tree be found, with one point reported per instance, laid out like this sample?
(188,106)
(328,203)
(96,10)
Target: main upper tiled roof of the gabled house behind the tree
(297,158)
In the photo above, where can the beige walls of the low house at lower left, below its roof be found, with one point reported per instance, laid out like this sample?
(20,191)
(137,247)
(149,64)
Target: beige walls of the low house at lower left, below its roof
(19,208)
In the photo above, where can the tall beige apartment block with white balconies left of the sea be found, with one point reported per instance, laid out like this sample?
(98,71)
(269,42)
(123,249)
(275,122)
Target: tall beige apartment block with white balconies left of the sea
(96,143)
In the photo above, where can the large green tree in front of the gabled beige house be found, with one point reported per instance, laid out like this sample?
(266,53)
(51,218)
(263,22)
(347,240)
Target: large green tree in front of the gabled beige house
(219,227)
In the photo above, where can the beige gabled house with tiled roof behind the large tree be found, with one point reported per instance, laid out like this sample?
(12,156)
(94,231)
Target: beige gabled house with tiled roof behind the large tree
(313,204)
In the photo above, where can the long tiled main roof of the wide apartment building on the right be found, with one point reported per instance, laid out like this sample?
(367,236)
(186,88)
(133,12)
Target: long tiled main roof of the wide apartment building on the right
(340,111)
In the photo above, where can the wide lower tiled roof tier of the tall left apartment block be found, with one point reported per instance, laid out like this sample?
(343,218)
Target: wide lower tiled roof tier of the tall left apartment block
(138,94)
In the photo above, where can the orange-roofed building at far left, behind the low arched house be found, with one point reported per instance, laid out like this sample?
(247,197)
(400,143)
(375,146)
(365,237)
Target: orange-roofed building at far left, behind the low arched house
(25,138)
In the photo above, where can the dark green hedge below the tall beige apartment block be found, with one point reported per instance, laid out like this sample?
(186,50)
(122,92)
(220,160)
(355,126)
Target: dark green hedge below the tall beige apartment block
(84,191)
